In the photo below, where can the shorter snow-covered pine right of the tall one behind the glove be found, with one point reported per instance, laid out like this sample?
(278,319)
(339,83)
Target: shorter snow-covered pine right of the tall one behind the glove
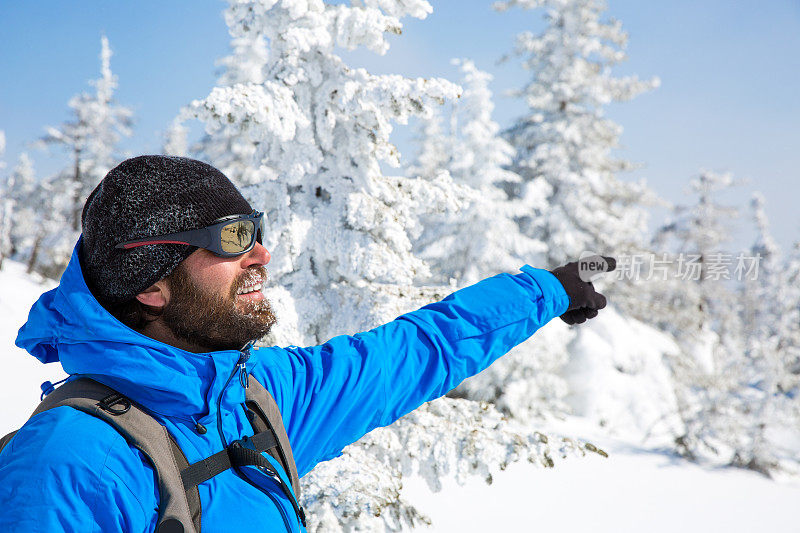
(700,308)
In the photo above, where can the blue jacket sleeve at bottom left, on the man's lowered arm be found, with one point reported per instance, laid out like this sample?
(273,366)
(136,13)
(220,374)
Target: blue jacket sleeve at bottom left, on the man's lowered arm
(73,472)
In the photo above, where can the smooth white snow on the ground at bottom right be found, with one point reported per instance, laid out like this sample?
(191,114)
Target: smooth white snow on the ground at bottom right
(634,490)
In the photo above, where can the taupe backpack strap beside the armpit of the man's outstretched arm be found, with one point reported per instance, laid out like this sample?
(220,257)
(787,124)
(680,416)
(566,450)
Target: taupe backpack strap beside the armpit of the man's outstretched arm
(267,418)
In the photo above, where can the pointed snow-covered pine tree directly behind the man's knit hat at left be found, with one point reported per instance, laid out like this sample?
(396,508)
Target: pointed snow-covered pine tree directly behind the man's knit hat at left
(91,140)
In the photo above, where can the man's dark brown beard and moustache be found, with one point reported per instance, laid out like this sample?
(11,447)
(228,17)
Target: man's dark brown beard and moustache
(212,321)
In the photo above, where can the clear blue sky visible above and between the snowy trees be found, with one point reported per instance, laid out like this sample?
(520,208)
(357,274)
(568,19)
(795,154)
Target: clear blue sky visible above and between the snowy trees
(728,101)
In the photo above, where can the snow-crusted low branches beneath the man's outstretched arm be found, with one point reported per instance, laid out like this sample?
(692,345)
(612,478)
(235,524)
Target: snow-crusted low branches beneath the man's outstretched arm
(361,490)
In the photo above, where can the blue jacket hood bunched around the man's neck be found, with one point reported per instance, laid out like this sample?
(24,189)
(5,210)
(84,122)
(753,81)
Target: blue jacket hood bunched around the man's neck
(68,325)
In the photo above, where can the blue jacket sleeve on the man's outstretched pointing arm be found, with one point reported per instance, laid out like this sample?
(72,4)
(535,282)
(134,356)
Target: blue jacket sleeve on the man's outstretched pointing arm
(331,395)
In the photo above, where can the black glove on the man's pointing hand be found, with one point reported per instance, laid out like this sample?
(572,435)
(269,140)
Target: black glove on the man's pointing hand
(584,301)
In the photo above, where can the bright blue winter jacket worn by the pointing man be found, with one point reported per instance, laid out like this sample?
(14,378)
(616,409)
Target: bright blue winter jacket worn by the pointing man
(67,471)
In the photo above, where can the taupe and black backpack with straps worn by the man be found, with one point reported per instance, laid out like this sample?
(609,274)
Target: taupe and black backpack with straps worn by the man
(179,506)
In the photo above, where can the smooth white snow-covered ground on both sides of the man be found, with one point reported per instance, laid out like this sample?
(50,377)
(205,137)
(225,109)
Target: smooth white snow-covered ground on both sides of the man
(633,490)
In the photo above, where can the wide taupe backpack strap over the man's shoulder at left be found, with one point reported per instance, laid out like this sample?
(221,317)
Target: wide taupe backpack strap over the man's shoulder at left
(178,510)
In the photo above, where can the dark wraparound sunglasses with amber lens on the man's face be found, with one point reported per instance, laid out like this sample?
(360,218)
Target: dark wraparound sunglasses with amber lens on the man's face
(226,237)
